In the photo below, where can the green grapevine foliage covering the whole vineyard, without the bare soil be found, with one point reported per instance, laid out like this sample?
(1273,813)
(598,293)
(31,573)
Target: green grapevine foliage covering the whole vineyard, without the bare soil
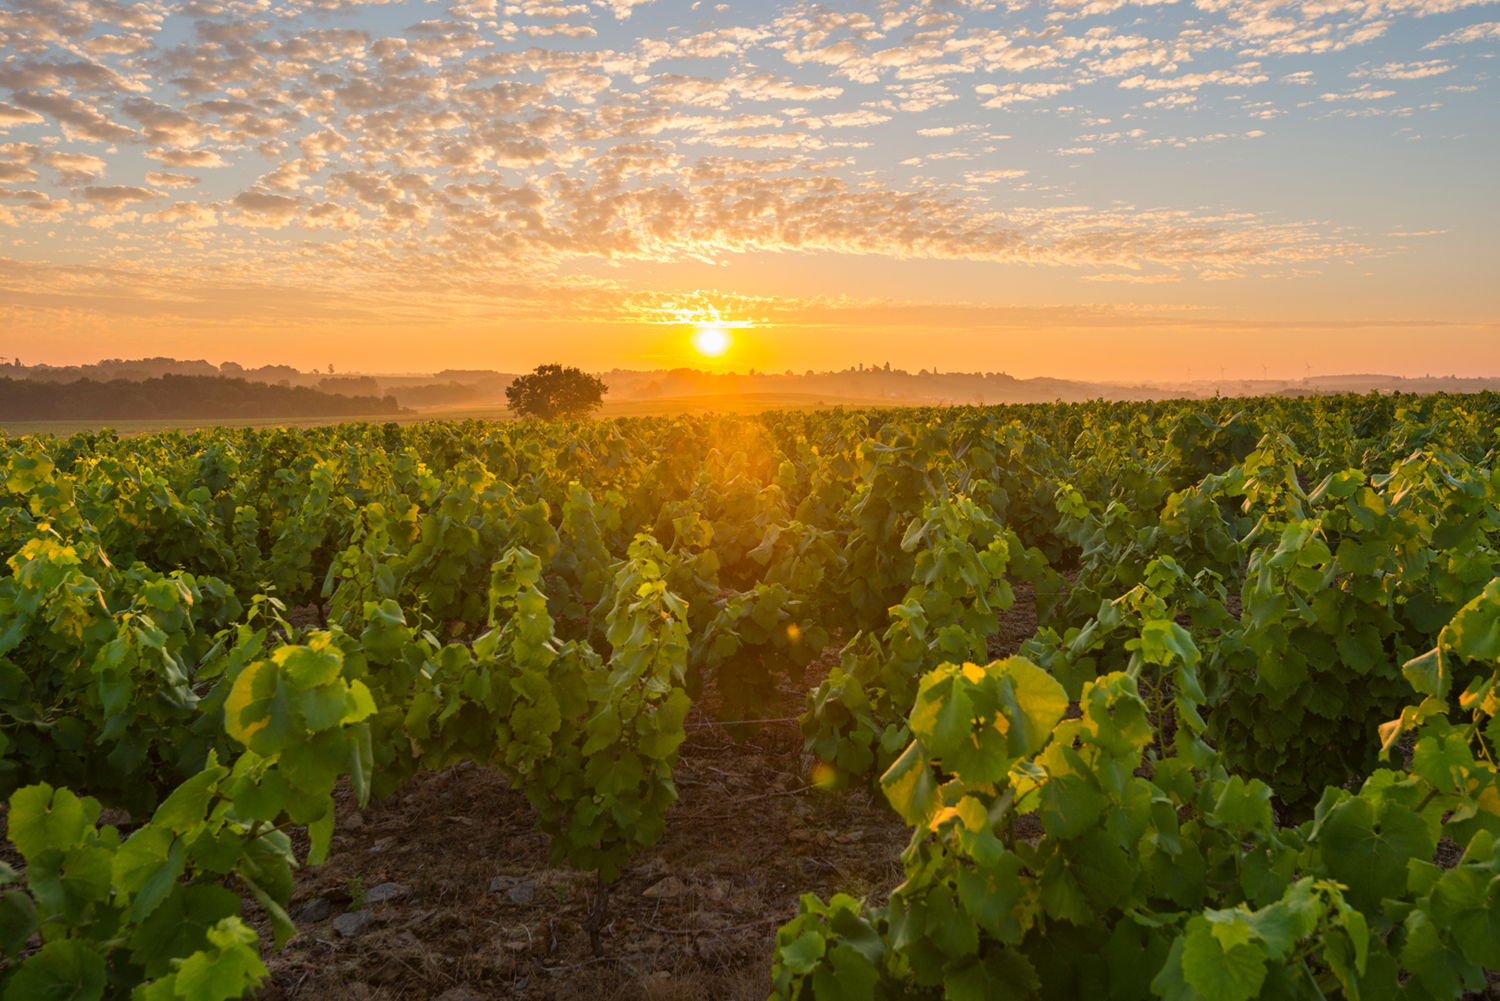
(1223,816)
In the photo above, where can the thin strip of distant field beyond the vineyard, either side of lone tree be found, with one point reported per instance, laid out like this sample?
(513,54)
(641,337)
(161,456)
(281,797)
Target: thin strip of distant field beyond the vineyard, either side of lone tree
(736,403)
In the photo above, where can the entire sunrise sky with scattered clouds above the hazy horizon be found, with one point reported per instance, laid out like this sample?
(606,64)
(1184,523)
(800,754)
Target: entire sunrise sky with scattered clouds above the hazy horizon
(1075,188)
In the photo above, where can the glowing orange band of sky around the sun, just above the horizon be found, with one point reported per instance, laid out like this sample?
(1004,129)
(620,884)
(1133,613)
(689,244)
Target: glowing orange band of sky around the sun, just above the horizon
(1135,337)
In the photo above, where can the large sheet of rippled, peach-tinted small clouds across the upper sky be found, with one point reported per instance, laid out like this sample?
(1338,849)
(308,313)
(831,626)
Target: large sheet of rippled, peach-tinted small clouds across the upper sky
(515,139)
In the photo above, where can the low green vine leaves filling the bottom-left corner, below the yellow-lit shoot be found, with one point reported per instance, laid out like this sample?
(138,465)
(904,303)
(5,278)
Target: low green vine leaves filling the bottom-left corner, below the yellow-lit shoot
(146,916)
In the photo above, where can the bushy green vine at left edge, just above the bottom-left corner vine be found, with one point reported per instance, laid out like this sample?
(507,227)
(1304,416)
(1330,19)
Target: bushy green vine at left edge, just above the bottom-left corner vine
(97,672)
